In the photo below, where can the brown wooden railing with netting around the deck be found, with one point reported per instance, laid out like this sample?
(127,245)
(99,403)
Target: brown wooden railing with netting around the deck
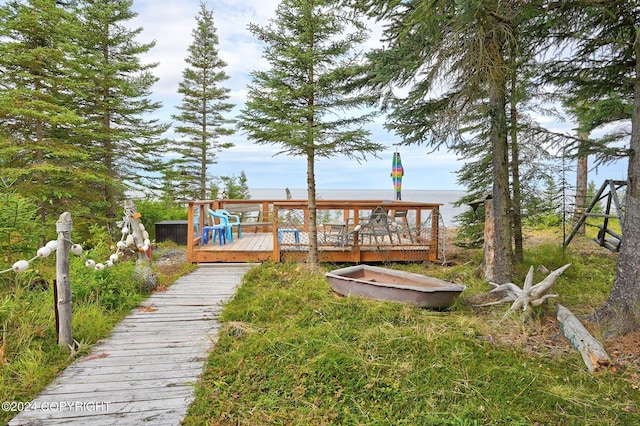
(342,225)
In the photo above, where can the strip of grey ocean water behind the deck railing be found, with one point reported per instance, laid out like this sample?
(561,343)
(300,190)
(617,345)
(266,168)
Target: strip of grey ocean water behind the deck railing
(444,197)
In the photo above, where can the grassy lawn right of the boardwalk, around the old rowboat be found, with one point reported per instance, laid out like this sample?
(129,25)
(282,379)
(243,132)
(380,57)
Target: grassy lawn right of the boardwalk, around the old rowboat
(292,352)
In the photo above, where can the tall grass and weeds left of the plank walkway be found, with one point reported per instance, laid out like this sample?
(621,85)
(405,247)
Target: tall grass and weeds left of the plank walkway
(29,355)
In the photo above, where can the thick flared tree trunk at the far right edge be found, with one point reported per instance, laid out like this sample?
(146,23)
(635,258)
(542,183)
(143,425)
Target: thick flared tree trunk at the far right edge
(620,313)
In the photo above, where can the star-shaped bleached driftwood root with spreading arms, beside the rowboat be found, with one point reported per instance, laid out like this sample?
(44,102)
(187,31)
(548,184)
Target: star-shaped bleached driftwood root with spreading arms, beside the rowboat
(529,294)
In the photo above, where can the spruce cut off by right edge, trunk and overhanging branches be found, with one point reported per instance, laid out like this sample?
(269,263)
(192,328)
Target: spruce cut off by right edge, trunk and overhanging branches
(604,36)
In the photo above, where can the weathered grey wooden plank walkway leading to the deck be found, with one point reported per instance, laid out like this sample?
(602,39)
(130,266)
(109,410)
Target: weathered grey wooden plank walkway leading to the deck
(145,372)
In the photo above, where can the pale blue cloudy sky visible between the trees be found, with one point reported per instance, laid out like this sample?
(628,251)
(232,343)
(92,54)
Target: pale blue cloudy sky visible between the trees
(170,23)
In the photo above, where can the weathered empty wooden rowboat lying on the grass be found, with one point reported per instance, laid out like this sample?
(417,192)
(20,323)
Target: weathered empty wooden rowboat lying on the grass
(378,283)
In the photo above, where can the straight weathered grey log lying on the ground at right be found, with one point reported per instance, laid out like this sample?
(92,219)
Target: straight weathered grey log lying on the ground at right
(593,354)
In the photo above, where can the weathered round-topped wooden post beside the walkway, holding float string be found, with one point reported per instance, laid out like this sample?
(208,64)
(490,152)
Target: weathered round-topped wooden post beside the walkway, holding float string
(63,283)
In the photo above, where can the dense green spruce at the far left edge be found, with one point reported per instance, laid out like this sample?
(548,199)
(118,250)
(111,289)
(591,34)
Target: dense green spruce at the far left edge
(37,117)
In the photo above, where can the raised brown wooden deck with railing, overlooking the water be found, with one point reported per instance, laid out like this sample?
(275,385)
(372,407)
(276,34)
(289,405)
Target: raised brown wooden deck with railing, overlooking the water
(260,243)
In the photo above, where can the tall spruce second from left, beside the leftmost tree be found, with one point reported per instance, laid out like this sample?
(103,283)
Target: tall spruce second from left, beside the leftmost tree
(123,144)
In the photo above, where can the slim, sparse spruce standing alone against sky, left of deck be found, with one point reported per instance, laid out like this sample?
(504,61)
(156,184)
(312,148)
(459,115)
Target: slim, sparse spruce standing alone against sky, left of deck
(201,117)
